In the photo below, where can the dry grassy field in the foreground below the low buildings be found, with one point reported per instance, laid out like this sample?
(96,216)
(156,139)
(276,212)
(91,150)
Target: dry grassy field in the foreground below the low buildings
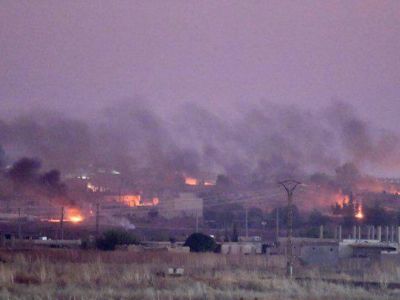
(66,274)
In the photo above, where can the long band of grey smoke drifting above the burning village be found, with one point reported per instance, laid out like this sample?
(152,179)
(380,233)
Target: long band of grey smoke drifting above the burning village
(250,145)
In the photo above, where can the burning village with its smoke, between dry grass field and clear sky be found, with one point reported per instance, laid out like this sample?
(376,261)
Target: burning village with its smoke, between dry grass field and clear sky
(287,186)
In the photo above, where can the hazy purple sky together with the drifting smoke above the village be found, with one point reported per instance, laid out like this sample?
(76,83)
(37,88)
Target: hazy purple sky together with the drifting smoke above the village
(226,87)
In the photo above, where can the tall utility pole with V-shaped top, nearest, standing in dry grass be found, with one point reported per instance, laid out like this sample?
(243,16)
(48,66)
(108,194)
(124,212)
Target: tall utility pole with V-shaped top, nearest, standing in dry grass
(289,186)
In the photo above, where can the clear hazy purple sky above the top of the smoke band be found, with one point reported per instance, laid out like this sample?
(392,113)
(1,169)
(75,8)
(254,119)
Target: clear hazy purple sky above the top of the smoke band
(83,55)
